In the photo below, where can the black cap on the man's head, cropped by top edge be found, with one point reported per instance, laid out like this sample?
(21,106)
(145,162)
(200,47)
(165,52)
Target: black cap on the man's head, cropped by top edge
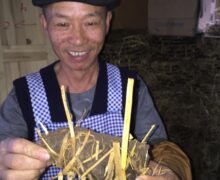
(109,4)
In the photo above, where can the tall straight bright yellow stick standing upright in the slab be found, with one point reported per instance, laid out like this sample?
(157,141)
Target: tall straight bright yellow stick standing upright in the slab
(127,120)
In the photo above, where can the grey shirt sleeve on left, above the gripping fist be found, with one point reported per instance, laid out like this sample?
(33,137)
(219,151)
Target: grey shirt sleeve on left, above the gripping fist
(12,123)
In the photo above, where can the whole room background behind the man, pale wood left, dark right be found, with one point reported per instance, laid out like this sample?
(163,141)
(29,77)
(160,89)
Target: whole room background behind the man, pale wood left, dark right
(173,44)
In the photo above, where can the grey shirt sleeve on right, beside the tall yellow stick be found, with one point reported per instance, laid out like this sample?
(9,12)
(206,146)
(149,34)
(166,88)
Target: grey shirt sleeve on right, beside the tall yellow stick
(146,116)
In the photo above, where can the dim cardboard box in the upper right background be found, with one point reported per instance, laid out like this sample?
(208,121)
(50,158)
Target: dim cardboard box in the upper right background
(172,17)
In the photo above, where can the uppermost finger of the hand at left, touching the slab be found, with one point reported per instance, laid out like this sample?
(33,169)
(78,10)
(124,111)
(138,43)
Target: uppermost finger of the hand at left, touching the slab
(23,146)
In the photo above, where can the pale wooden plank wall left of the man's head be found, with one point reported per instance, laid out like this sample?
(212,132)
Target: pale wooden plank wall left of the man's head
(23,47)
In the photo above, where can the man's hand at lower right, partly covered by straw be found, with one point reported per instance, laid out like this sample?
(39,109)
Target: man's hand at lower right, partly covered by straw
(159,172)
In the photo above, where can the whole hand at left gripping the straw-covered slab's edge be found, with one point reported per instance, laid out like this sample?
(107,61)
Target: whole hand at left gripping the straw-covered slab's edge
(21,159)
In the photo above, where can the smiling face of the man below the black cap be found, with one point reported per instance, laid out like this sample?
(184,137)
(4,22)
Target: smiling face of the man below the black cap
(77,32)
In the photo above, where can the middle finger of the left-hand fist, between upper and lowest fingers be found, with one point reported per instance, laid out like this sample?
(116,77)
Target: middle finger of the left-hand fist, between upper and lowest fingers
(22,162)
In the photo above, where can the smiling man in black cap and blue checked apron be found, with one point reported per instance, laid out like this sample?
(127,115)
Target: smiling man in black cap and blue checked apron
(77,31)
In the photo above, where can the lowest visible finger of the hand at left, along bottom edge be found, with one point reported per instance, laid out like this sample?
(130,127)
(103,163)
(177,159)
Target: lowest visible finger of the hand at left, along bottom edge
(15,175)
